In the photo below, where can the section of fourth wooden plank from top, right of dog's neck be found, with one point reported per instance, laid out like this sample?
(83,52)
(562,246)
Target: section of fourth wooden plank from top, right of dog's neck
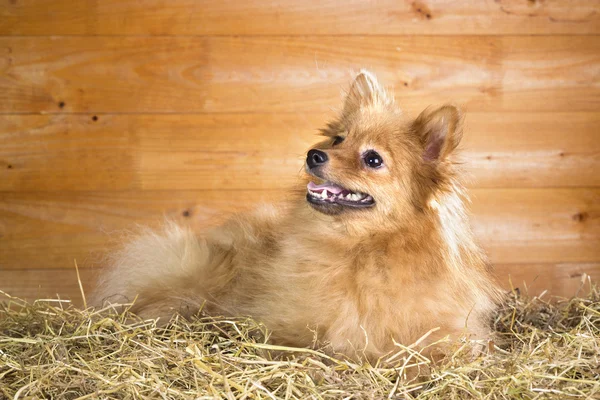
(538,226)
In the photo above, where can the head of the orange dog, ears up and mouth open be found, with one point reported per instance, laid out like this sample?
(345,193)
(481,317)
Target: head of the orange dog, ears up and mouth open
(377,163)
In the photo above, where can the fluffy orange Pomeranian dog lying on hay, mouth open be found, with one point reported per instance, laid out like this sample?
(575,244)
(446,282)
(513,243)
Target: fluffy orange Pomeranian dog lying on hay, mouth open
(377,250)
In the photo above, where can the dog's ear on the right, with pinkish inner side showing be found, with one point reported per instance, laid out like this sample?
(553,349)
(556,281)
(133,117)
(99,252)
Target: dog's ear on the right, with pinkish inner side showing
(440,131)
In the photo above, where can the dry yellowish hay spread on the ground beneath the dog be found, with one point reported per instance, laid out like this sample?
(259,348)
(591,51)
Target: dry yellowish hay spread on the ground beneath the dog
(50,349)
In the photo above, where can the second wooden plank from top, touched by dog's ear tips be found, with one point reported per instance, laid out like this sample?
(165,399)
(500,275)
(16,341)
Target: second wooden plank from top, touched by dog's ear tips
(297,74)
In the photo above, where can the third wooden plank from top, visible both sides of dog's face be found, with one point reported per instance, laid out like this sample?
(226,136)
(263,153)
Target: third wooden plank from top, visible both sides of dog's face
(266,151)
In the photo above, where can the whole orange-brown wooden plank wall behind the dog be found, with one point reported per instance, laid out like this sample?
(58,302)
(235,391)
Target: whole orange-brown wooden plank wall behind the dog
(118,112)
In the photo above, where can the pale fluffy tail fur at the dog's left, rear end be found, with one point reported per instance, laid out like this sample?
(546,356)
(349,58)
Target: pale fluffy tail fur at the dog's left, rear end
(160,272)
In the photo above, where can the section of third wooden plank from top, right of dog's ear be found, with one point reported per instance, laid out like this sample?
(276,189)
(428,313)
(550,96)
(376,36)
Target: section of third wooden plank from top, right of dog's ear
(532,149)
